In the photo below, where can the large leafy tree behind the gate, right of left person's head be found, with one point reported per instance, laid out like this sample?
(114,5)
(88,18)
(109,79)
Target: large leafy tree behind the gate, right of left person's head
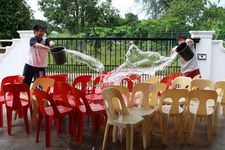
(80,14)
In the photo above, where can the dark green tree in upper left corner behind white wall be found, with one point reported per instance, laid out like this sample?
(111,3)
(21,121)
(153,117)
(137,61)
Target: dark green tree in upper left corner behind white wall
(15,15)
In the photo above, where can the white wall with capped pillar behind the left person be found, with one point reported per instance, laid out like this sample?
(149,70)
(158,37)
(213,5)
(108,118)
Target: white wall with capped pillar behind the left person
(13,60)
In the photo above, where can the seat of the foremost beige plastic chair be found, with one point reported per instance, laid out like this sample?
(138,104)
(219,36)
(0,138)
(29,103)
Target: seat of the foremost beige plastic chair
(125,119)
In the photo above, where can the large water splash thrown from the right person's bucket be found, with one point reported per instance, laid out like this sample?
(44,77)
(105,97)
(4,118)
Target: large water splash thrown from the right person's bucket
(139,62)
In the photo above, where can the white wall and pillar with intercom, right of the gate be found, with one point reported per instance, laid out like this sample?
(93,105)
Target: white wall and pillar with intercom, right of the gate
(211,55)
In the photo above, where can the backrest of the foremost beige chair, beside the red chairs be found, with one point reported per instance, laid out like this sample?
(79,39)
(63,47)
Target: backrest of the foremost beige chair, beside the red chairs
(109,95)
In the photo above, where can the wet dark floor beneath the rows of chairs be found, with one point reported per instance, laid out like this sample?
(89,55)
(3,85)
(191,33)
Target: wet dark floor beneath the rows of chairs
(93,140)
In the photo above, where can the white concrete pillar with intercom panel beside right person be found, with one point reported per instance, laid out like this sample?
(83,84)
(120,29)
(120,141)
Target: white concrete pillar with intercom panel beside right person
(204,48)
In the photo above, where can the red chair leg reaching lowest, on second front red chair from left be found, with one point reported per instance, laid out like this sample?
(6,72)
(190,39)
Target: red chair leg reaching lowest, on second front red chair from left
(48,126)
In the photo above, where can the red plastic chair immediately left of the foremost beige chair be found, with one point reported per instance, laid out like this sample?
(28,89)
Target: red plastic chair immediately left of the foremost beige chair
(81,109)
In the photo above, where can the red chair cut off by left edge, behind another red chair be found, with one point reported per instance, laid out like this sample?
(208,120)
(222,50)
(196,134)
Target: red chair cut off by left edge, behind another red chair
(8,80)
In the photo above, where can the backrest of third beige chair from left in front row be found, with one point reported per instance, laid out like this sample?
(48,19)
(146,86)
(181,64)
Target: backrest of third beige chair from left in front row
(175,95)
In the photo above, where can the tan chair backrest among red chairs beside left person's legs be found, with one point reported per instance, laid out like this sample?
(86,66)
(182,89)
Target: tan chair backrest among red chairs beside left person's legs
(43,84)
